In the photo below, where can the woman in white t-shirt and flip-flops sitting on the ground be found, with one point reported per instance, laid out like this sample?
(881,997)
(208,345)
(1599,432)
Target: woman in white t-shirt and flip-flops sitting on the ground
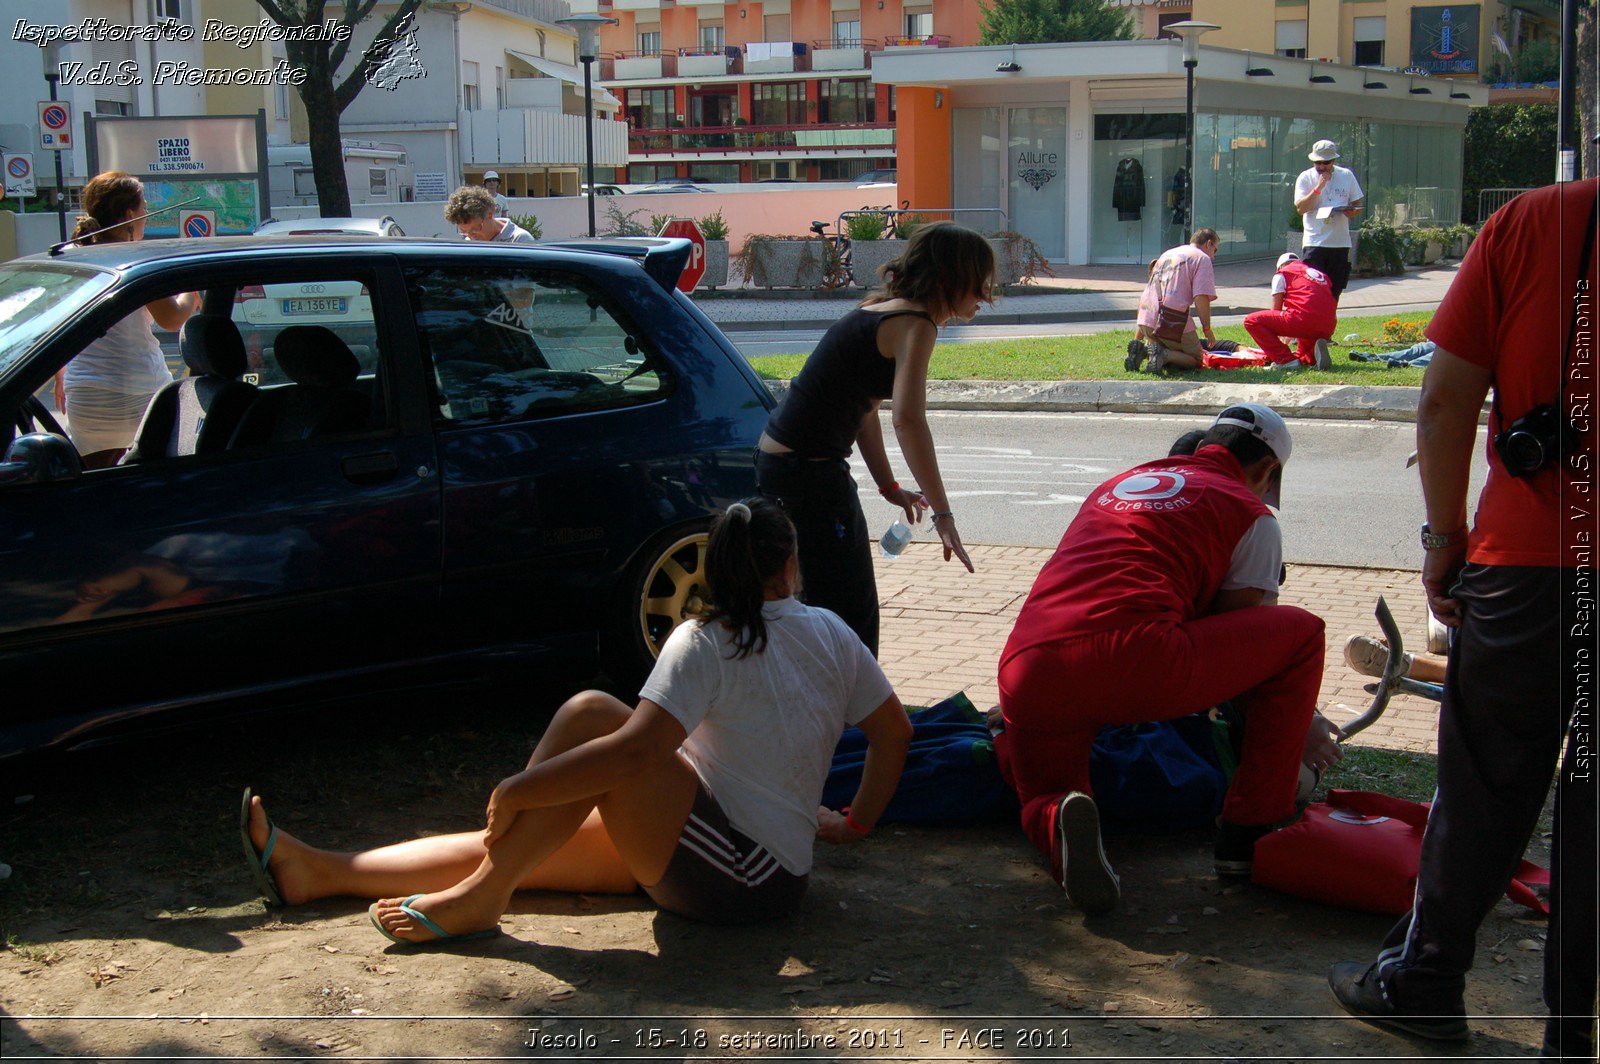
(706,794)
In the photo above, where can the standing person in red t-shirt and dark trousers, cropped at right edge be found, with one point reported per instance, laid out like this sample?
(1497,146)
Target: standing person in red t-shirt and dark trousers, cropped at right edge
(1519,593)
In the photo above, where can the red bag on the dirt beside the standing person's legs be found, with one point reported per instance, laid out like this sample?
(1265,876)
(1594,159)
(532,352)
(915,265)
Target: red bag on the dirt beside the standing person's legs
(1361,850)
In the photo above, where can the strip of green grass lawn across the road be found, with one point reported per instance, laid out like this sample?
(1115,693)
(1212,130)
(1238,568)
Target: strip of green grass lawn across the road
(1098,358)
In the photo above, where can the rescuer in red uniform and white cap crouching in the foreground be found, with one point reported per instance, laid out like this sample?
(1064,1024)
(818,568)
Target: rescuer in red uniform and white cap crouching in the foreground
(1161,602)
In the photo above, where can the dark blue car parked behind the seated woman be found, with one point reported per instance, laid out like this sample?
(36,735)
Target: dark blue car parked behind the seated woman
(468,455)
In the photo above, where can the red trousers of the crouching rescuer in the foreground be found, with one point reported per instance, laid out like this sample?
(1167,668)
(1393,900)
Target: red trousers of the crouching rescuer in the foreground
(1057,697)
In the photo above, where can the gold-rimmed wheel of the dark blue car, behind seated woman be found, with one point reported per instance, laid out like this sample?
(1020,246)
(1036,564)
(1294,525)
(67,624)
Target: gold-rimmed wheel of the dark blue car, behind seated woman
(660,593)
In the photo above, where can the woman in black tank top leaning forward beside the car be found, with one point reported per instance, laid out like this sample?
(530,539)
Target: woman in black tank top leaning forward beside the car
(878,351)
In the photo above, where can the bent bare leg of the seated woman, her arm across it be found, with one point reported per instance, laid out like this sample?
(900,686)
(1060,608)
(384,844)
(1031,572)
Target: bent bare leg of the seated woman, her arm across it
(642,818)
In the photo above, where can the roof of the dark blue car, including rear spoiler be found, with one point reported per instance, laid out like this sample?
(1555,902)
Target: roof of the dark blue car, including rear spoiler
(140,255)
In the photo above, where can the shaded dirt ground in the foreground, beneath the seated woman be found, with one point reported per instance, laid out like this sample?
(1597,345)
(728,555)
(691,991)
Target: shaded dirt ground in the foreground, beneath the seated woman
(132,929)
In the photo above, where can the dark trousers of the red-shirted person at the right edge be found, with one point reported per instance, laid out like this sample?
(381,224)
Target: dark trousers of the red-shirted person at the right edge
(1508,710)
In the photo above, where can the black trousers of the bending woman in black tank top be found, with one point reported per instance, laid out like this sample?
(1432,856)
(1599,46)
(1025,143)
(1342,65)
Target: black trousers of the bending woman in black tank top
(836,556)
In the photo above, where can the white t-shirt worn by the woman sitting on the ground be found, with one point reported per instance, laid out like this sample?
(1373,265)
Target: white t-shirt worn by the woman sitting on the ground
(762,730)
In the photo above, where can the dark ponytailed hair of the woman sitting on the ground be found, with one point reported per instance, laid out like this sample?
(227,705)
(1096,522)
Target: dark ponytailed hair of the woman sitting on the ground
(751,543)
